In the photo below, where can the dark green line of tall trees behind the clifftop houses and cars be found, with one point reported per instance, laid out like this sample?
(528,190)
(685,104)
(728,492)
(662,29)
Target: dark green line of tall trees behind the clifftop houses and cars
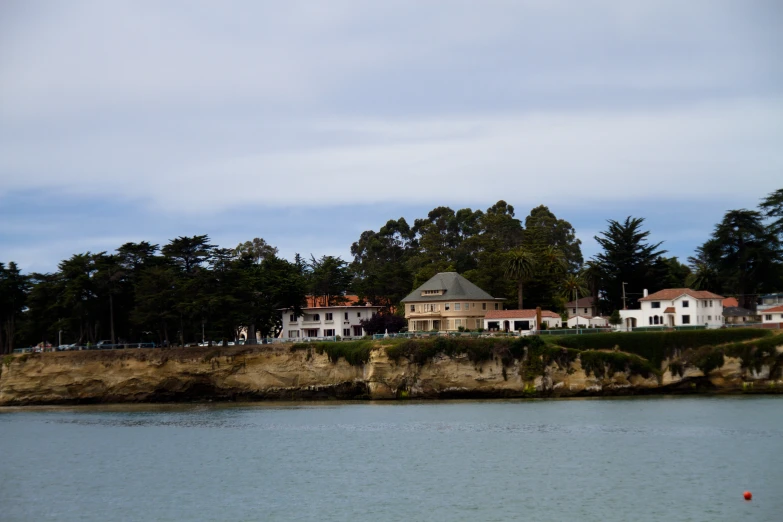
(190,289)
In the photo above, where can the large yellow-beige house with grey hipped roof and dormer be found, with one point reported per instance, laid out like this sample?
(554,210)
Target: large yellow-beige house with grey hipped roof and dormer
(447,302)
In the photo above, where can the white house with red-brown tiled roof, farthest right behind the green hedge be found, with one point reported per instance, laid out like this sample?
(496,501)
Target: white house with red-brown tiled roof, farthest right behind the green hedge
(676,307)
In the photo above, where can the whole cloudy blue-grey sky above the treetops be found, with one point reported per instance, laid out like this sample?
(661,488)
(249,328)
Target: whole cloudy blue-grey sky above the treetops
(306,123)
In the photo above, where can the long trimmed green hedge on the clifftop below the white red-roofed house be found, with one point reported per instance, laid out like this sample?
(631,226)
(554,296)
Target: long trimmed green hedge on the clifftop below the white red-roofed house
(657,346)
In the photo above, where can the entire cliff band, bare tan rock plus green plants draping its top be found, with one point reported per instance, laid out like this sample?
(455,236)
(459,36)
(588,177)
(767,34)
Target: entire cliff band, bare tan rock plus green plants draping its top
(716,361)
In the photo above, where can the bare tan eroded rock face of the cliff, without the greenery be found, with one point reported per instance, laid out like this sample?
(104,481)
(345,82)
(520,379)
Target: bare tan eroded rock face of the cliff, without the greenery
(279,373)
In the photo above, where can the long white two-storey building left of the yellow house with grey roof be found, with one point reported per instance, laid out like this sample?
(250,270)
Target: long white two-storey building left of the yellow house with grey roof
(326,321)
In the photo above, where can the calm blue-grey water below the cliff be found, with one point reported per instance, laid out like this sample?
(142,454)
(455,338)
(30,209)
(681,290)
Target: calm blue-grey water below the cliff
(609,460)
